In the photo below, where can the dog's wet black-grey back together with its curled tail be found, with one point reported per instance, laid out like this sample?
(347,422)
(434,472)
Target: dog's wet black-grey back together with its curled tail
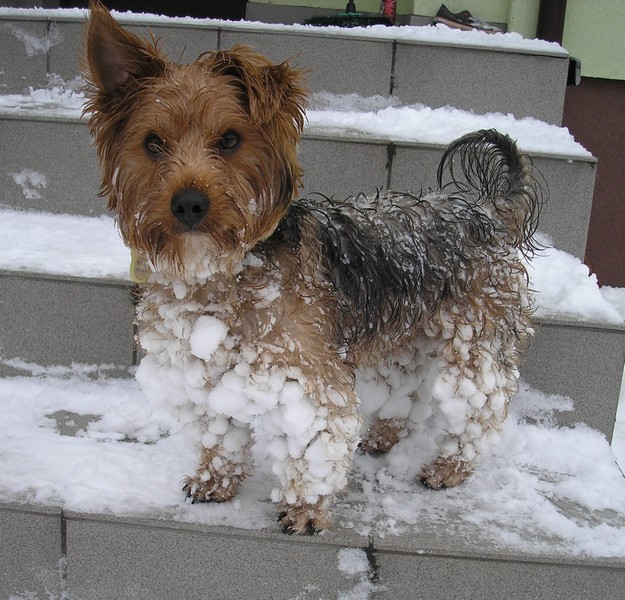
(395,257)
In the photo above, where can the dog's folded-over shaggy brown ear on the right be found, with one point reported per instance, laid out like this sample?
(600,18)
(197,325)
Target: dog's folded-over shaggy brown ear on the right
(268,90)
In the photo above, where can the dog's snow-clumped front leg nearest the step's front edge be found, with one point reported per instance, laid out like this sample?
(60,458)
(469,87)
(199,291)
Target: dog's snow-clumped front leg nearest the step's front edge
(315,435)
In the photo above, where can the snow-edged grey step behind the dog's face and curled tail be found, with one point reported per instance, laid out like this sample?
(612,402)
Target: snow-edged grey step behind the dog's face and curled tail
(49,163)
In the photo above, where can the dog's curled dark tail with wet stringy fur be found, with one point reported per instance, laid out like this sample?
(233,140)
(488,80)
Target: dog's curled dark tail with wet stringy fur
(493,170)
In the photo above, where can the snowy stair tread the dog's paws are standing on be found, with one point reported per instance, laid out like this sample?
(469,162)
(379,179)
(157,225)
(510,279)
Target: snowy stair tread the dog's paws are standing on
(545,491)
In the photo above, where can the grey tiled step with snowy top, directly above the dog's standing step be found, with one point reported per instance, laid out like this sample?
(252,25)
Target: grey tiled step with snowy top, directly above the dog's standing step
(58,307)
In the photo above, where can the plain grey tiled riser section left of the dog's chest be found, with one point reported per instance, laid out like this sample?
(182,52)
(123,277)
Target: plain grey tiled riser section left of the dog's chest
(56,321)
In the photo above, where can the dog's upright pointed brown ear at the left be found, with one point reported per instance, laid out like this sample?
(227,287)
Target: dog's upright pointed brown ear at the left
(114,57)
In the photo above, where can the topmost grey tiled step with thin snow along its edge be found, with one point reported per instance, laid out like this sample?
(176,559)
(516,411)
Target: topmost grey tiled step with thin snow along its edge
(432,66)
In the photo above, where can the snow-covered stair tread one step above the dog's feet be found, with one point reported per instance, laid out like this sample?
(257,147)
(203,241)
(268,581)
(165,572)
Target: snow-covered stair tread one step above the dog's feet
(90,247)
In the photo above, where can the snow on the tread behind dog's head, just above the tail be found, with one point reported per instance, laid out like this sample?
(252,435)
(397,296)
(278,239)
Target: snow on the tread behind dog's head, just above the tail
(351,115)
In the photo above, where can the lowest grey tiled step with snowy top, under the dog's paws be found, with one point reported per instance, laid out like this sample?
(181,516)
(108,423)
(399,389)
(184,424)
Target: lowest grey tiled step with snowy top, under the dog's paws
(88,513)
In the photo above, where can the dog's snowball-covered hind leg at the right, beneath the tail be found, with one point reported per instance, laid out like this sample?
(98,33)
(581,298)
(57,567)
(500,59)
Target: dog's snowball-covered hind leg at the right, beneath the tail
(476,376)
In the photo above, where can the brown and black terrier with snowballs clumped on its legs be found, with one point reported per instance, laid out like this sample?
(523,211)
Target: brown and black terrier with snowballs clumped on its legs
(305,318)
